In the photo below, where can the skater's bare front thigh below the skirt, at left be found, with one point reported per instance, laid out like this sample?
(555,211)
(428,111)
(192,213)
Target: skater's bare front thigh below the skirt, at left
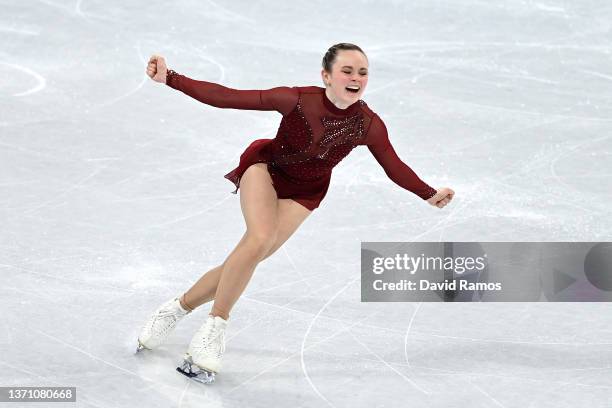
(259,202)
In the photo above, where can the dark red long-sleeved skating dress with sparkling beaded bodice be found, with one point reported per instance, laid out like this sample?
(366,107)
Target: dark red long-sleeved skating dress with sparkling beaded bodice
(313,136)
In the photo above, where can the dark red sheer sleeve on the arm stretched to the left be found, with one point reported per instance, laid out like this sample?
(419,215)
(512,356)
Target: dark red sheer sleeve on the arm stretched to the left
(281,99)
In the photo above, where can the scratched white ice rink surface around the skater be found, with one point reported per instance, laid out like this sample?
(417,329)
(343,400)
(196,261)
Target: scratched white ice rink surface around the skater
(112,199)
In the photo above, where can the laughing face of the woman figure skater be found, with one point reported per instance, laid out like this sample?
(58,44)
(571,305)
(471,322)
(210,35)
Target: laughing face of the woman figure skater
(349,68)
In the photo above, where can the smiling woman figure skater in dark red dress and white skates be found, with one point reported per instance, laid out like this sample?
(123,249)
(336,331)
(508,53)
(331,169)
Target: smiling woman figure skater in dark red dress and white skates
(281,181)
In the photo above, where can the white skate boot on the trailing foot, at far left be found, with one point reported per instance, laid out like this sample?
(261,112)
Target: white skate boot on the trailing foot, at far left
(160,324)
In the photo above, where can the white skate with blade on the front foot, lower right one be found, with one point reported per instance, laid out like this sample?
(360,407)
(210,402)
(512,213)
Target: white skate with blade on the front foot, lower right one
(203,358)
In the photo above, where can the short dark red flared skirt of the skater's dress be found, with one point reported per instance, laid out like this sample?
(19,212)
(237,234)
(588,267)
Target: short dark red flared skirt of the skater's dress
(308,193)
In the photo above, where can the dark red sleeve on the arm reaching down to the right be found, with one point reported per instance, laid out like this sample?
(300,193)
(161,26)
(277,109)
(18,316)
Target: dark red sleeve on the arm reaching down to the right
(379,145)
